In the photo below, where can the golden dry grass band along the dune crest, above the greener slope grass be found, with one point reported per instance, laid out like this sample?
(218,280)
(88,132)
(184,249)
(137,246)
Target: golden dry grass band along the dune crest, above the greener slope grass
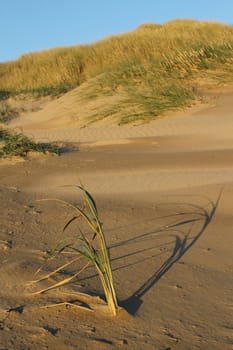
(184,43)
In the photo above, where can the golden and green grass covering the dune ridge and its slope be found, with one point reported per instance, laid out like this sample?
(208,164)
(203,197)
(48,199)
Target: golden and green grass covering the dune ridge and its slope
(156,67)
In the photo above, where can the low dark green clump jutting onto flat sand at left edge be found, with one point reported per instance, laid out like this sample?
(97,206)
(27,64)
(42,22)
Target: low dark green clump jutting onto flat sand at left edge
(17,144)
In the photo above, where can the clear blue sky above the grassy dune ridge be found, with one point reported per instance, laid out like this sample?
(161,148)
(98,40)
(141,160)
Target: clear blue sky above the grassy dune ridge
(31,25)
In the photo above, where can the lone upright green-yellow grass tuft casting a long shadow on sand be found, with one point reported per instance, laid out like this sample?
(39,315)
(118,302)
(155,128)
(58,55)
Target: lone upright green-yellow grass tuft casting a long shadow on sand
(89,243)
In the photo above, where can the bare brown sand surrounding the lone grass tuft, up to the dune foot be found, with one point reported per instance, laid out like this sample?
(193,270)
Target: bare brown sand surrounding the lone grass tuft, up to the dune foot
(165,194)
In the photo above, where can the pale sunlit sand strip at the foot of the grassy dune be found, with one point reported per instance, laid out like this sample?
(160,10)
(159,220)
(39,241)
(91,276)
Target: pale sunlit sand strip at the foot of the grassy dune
(212,120)
